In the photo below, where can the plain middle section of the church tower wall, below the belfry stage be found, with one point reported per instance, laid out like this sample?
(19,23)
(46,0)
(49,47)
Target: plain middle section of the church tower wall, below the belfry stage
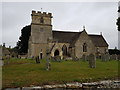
(40,33)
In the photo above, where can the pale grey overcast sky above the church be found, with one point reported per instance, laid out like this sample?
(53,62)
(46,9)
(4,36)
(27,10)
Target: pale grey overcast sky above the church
(95,16)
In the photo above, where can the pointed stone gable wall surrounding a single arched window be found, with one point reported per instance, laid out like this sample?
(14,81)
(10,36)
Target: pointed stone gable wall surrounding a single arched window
(84,38)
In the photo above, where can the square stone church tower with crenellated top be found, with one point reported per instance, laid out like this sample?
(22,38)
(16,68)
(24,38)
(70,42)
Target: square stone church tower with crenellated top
(41,33)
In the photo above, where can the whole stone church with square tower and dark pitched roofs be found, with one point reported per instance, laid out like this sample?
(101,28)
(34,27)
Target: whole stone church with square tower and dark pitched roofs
(45,41)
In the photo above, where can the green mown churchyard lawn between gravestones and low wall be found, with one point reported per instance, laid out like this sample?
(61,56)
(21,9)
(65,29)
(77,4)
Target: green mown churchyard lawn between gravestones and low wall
(25,72)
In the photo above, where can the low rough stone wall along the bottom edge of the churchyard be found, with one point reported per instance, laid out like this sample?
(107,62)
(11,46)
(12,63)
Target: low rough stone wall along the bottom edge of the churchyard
(115,84)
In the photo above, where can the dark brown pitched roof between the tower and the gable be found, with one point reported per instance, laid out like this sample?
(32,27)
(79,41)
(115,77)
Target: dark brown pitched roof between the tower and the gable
(64,37)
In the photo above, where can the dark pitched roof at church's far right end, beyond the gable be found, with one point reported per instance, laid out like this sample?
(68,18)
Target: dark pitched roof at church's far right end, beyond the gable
(98,40)
